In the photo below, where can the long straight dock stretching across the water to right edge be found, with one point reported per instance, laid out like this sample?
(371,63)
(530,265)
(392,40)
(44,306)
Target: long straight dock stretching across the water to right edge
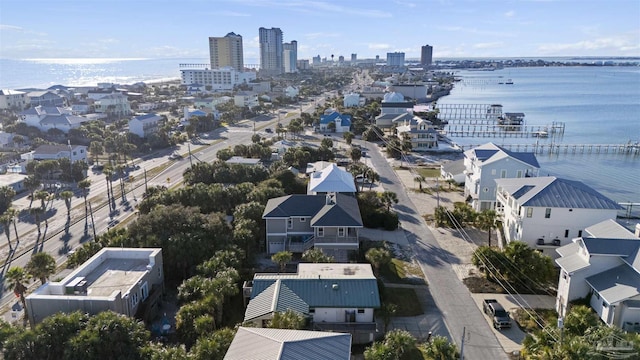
(620,149)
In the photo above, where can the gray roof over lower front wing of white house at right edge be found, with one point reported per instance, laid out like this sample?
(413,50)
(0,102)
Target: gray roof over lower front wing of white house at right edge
(616,284)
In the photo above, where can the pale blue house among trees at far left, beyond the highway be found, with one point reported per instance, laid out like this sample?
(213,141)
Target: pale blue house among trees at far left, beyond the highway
(52,117)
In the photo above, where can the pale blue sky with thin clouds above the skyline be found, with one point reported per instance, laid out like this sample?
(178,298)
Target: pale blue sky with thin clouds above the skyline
(455,28)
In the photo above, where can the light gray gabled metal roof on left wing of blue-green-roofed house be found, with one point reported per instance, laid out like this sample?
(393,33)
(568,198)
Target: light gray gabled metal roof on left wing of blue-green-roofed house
(276,298)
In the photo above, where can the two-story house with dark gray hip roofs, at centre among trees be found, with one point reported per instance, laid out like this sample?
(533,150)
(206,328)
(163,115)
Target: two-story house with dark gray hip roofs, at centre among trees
(328,222)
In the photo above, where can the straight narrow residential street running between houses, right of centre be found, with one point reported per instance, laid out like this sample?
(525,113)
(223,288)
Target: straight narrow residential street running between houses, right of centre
(457,308)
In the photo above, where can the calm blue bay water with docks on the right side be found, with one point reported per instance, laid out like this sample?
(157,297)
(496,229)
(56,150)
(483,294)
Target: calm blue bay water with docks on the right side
(598,105)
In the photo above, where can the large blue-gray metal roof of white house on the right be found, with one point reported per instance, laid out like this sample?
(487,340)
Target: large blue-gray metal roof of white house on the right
(553,192)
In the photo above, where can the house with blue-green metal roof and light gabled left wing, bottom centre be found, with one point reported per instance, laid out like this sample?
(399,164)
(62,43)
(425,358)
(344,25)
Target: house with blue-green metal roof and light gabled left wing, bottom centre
(336,297)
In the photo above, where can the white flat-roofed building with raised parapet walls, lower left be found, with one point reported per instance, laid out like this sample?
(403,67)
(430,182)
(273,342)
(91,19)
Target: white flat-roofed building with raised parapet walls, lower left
(127,281)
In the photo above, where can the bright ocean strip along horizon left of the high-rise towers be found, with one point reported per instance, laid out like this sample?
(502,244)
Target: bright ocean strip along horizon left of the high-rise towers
(43,73)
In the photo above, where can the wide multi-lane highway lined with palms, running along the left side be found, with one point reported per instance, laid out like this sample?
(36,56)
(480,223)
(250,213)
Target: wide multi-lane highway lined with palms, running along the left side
(59,241)
